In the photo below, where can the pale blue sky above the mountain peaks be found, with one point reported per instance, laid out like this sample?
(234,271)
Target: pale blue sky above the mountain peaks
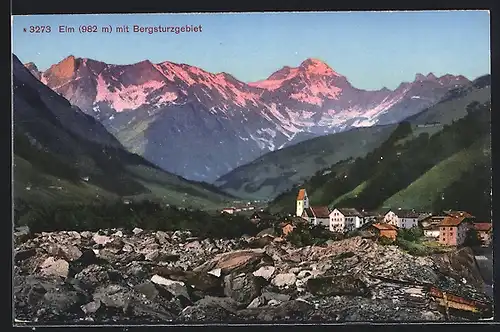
(372,49)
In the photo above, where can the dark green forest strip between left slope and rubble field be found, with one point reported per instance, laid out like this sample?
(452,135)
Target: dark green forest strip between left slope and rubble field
(116,214)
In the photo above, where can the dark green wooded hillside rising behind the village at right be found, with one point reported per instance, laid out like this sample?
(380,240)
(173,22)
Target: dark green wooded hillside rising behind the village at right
(411,171)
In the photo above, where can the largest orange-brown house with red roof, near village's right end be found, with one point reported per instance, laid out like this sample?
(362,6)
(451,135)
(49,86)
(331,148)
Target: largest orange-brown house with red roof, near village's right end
(454,227)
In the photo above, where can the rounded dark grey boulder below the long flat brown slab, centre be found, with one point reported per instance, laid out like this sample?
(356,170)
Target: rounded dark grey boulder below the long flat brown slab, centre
(242,288)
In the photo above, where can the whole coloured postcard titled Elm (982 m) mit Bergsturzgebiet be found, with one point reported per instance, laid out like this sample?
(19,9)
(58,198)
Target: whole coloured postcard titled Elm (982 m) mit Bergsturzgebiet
(274,167)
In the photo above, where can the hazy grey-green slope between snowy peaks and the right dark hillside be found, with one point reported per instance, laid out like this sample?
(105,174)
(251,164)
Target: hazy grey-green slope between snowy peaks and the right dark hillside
(278,171)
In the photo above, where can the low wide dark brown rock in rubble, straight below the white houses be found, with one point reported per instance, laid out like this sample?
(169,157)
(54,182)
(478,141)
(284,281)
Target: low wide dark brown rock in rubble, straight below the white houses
(336,285)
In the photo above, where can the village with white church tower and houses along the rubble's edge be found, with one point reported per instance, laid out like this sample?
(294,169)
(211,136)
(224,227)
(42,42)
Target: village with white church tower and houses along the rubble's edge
(447,228)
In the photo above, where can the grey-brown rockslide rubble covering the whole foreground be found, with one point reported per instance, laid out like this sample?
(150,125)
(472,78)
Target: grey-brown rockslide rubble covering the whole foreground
(137,276)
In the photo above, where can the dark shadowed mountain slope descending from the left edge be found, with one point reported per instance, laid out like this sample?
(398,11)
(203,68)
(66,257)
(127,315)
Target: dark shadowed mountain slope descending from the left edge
(63,155)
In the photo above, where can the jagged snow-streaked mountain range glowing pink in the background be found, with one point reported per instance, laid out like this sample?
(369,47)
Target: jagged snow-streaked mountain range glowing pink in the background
(202,125)
